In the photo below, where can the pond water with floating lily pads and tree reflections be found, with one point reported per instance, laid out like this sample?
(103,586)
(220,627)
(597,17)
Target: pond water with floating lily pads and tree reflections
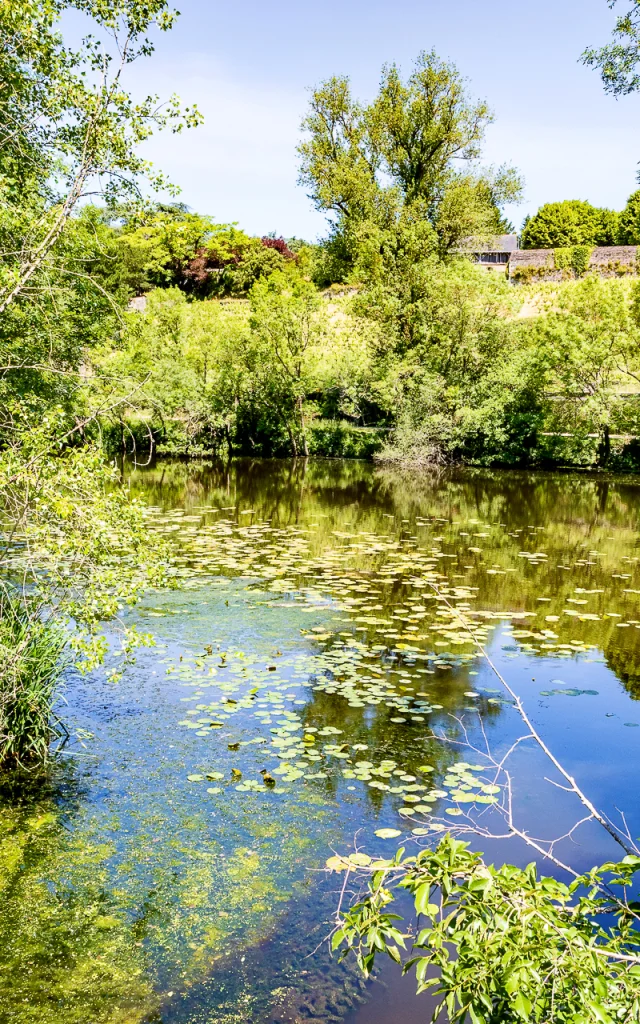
(157,875)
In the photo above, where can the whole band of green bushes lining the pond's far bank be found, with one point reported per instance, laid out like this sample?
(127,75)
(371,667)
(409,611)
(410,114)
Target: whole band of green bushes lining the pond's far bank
(433,350)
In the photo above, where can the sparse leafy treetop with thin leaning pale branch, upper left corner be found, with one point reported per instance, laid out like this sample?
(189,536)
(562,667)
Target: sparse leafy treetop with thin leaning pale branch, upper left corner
(71,130)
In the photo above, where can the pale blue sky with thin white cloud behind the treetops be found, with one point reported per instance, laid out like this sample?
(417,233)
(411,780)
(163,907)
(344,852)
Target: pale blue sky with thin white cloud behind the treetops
(249,65)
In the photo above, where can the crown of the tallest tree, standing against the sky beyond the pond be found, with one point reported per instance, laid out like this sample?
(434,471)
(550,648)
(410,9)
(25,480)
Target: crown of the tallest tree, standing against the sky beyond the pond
(414,148)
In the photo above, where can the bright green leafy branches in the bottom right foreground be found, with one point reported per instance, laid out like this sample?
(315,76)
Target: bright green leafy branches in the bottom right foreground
(501,944)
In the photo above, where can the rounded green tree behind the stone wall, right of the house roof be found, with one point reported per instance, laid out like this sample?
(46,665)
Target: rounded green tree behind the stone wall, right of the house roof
(572,223)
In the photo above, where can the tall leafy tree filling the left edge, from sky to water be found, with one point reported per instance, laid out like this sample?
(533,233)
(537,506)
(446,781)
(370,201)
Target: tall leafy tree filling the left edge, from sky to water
(74,547)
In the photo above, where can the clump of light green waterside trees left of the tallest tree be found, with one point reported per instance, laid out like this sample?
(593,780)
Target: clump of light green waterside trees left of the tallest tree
(233,375)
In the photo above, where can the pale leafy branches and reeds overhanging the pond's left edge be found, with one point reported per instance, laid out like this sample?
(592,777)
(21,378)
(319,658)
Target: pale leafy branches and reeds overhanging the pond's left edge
(74,552)
